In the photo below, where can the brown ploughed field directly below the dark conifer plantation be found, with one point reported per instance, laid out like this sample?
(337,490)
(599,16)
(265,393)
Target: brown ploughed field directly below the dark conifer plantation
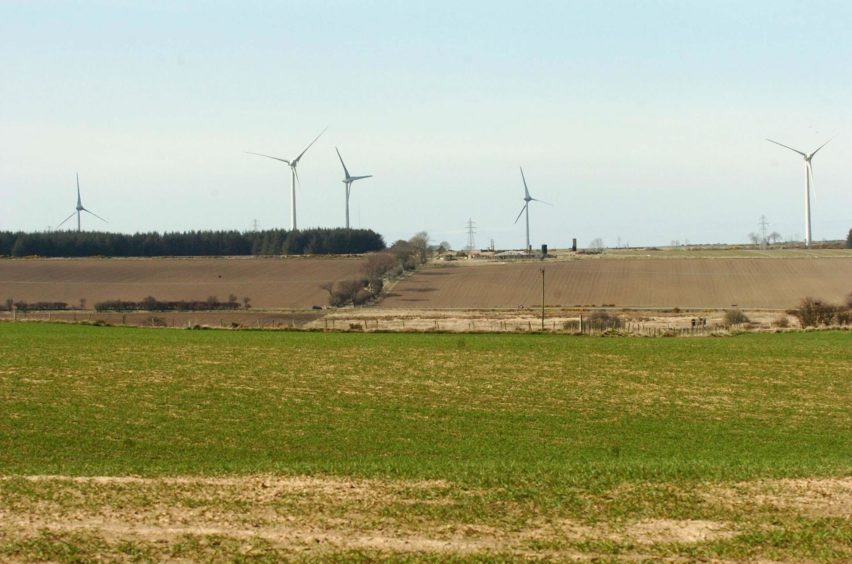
(282,283)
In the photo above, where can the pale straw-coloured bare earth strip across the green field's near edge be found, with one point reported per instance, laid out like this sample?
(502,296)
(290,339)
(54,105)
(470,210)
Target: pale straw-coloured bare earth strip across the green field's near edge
(316,515)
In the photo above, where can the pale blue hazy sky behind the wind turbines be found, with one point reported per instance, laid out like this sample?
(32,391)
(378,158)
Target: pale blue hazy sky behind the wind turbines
(639,120)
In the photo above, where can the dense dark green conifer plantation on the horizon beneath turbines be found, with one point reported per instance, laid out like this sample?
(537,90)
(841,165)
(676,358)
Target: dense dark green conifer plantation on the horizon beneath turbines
(190,243)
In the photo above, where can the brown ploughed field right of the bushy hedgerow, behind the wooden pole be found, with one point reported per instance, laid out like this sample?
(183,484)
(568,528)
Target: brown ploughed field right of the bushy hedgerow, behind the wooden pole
(761,283)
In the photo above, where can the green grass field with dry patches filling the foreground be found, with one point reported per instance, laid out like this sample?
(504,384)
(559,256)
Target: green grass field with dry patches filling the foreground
(149,444)
